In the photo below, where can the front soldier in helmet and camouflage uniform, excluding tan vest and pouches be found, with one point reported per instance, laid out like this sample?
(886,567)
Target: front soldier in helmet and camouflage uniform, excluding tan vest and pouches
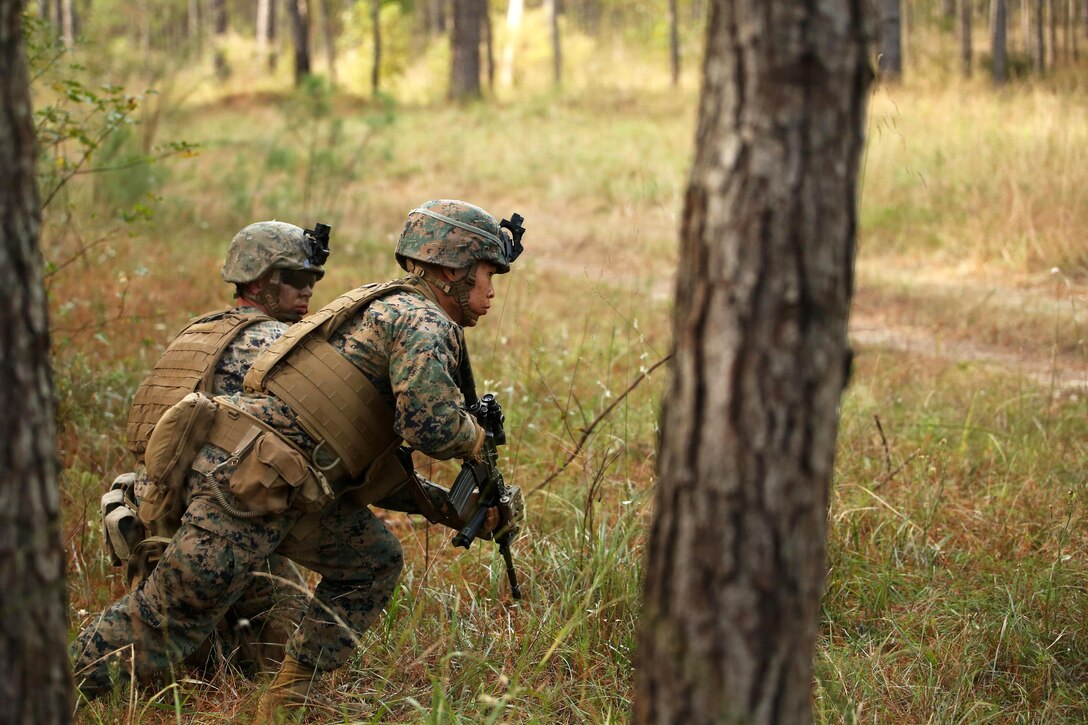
(409,343)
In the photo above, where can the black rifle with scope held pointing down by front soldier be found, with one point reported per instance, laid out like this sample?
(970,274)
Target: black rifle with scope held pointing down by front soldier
(486,478)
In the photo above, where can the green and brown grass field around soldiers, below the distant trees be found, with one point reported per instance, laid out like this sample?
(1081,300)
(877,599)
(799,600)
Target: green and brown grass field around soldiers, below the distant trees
(958,549)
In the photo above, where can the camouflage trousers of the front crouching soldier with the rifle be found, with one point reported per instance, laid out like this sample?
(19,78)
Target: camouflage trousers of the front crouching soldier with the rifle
(213,561)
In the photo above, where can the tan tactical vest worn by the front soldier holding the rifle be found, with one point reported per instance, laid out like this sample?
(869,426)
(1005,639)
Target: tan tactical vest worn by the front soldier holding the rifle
(333,401)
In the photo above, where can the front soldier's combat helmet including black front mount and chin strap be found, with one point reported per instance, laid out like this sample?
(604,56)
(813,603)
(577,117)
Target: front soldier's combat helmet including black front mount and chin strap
(458,236)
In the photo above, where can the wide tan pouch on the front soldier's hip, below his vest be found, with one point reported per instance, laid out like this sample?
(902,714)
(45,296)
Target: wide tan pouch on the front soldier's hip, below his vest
(274,476)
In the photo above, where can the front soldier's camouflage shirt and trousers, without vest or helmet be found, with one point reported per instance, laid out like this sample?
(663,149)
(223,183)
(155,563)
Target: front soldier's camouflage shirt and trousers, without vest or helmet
(412,352)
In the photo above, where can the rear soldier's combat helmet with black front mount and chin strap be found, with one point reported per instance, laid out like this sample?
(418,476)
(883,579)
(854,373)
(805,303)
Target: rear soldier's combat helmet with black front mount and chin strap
(276,247)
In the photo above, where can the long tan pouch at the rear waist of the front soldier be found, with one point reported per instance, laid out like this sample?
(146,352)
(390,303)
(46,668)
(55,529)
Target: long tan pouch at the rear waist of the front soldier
(171,449)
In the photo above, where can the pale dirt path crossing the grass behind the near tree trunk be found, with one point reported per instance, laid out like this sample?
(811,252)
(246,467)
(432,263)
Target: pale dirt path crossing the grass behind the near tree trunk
(1036,327)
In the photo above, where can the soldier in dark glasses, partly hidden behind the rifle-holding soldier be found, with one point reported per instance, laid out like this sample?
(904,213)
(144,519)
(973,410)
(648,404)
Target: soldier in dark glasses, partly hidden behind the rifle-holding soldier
(275,271)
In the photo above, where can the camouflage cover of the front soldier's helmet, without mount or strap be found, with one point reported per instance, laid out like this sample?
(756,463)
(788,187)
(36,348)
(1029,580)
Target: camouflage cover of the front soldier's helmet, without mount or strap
(432,240)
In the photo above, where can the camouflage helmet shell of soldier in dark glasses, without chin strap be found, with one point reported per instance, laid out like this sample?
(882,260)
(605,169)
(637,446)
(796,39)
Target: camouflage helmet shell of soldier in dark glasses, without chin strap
(263,247)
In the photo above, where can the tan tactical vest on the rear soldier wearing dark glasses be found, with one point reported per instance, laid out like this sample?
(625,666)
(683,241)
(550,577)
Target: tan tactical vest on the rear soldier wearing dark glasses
(189,365)
